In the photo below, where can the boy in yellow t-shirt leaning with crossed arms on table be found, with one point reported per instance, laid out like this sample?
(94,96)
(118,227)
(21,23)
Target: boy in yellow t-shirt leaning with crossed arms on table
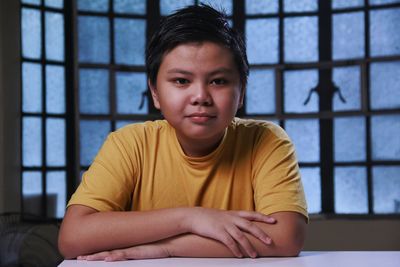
(199,183)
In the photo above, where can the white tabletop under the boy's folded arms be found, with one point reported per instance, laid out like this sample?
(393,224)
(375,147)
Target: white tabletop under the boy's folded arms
(306,259)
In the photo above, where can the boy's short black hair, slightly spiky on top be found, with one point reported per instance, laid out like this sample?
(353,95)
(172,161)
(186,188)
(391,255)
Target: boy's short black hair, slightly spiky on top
(196,23)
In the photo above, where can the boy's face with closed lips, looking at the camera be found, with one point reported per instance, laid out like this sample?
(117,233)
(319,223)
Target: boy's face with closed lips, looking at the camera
(198,90)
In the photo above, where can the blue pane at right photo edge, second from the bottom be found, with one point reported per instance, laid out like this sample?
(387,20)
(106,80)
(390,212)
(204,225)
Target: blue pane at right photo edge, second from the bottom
(385,137)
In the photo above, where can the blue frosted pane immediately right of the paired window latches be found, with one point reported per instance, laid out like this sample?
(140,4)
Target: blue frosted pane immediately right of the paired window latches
(348,80)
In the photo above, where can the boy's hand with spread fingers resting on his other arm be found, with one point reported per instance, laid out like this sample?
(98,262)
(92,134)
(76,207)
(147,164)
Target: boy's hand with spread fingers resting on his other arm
(229,227)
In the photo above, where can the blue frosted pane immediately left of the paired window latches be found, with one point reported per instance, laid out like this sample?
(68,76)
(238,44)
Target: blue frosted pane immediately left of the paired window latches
(297,87)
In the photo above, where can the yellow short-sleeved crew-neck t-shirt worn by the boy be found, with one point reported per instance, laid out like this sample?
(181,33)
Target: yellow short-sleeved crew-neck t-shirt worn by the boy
(142,167)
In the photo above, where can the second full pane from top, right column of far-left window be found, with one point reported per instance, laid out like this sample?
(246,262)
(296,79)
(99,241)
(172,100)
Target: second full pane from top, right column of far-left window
(55,89)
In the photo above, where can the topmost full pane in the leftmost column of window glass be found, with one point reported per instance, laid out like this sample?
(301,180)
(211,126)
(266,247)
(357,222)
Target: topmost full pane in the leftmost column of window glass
(31,33)
